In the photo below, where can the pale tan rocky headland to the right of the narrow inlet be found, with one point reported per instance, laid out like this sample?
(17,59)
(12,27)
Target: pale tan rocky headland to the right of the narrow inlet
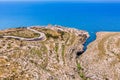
(101,61)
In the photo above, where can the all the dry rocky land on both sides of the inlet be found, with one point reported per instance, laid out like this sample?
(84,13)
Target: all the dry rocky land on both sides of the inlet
(22,57)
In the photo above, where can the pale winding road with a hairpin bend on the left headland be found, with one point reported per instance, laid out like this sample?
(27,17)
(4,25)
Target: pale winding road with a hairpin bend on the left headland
(41,37)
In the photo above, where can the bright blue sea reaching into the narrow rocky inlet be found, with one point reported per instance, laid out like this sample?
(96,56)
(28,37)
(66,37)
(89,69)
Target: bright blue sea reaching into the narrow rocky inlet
(91,17)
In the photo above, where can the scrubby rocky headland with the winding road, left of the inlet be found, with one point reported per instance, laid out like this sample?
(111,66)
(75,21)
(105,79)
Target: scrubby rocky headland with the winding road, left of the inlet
(50,56)
